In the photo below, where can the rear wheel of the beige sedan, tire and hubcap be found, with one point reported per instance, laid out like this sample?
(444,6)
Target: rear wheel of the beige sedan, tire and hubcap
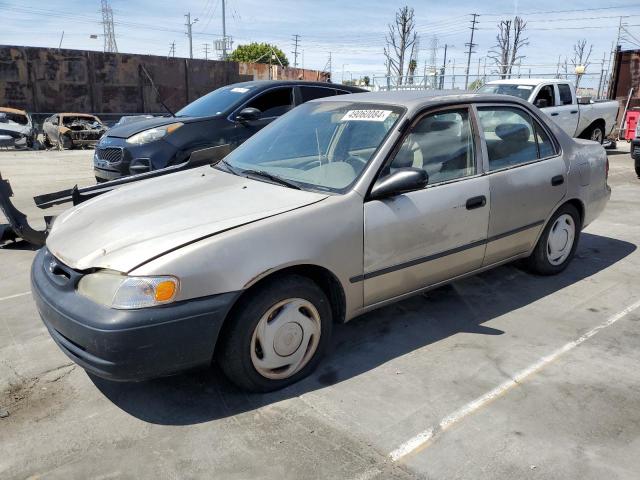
(558,242)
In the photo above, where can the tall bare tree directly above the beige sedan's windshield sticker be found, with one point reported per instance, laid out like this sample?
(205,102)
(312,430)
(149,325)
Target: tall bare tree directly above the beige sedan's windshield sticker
(401,42)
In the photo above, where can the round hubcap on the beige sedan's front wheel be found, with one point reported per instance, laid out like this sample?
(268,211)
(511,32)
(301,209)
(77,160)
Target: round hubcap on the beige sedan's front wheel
(285,338)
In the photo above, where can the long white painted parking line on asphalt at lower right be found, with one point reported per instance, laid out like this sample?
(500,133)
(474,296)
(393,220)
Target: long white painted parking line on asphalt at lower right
(422,438)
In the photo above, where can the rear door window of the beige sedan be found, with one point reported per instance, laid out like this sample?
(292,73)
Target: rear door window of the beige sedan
(511,137)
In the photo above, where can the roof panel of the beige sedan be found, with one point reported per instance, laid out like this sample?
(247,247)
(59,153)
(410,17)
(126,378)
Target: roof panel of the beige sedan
(412,99)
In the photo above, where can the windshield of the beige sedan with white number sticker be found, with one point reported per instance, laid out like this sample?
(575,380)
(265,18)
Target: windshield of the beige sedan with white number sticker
(318,145)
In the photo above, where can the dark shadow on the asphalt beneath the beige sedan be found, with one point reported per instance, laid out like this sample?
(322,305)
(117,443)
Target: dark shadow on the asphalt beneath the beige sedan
(368,341)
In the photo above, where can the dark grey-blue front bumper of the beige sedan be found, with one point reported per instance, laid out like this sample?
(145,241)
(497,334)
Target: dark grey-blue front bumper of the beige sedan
(125,345)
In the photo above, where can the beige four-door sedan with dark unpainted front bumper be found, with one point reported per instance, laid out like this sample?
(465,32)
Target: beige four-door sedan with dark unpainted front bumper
(339,207)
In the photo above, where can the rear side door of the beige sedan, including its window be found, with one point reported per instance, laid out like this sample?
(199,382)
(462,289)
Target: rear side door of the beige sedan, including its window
(527,179)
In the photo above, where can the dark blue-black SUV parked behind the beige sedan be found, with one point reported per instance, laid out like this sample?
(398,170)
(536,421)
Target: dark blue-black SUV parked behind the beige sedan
(227,116)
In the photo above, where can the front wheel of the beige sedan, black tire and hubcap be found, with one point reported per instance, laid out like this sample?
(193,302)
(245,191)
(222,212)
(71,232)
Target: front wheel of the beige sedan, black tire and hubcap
(277,335)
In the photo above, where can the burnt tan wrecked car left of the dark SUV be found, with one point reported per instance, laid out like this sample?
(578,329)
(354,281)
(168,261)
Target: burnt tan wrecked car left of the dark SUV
(70,130)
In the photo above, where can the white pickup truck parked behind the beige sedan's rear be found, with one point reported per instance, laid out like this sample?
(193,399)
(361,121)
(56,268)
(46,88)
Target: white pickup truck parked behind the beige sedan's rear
(579,117)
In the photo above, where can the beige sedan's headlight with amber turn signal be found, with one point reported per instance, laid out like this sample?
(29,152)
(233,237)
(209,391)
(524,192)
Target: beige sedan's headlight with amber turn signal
(123,292)
